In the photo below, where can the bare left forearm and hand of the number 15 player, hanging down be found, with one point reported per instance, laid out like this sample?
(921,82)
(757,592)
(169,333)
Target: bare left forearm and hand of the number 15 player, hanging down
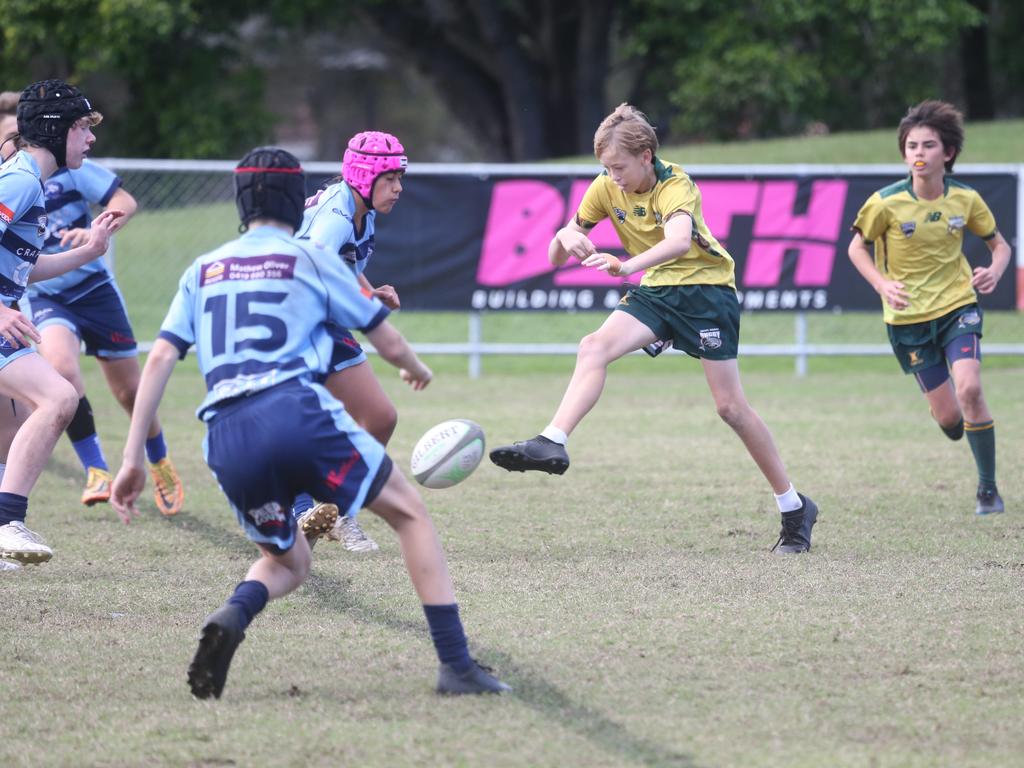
(132,478)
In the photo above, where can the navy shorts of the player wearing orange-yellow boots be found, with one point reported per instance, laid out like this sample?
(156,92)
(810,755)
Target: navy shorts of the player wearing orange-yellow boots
(99,319)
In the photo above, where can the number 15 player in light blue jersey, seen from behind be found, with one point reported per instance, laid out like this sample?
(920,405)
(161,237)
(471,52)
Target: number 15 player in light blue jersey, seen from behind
(258,311)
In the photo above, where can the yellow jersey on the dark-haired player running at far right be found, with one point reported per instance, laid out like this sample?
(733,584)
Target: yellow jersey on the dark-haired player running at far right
(920,243)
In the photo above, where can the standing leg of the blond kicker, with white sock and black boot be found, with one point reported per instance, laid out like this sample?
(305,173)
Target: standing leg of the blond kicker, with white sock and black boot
(798,513)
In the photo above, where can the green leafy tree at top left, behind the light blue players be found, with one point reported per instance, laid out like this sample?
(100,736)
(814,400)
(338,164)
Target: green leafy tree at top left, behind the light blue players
(176,72)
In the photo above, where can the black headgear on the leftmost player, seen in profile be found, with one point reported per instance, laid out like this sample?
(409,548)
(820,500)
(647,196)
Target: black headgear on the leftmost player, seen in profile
(47,112)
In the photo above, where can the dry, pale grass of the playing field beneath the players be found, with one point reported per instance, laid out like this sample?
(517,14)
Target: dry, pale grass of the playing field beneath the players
(632,604)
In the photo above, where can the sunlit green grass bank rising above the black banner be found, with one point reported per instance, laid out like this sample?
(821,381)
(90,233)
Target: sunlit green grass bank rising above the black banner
(997,142)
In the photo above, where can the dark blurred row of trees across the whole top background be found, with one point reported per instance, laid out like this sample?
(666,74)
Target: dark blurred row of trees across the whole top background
(507,80)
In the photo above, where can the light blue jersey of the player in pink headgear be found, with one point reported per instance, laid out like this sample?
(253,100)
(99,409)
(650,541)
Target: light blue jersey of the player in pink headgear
(330,222)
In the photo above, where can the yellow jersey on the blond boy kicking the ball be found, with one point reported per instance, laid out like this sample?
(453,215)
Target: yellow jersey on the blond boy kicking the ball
(638,219)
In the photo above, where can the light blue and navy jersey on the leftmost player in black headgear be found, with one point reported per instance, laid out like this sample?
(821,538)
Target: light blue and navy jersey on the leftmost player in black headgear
(23,223)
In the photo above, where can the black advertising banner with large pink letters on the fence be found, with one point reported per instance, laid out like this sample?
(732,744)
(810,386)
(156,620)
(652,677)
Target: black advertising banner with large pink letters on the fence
(481,242)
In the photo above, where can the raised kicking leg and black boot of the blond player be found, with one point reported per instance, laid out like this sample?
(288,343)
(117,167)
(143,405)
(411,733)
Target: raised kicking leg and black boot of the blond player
(619,335)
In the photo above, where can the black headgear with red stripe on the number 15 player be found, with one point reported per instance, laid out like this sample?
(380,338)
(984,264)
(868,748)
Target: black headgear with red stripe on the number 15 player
(270,184)
